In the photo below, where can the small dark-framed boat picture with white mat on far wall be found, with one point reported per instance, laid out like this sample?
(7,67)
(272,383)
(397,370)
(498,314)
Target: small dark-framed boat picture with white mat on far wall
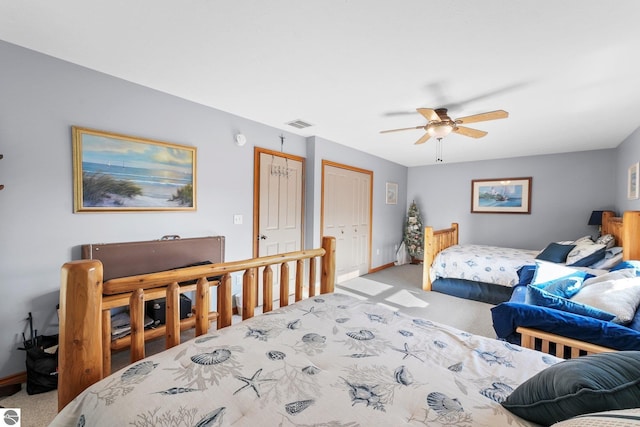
(504,195)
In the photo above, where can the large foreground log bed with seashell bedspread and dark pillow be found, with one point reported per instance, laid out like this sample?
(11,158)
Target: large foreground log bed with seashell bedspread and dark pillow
(327,360)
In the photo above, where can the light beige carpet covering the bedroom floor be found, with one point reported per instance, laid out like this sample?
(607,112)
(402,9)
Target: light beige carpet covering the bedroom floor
(398,287)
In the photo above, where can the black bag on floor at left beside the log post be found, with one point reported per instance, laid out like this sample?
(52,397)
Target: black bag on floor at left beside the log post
(42,366)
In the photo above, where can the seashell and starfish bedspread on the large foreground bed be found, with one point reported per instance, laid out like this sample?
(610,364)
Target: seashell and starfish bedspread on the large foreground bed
(331,360)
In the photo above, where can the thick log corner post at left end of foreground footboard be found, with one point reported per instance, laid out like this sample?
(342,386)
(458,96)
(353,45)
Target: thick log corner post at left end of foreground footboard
(80,358)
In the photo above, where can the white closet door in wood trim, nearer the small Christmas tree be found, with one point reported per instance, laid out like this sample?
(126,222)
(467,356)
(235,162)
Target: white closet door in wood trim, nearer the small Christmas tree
(346,216)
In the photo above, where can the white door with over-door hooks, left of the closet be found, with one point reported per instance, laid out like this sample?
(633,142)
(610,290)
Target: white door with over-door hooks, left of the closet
(280,207)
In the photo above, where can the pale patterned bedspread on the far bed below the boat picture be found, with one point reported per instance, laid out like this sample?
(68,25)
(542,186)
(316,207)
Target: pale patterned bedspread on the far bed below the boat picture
(481,263)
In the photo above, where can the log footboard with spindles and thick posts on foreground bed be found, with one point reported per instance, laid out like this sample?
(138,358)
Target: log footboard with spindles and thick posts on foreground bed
(84,354)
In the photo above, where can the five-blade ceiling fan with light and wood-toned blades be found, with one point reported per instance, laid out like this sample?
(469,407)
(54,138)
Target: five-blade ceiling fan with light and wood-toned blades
(440,124)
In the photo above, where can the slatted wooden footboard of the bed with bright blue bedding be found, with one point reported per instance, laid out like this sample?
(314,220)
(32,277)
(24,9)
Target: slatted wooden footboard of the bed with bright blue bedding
(566,348)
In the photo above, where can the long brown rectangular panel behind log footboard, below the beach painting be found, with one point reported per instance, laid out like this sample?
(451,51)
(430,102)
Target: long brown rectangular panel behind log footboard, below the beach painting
(133,258)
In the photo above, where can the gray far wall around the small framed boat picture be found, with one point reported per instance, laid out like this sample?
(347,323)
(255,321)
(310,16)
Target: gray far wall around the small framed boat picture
(565,189)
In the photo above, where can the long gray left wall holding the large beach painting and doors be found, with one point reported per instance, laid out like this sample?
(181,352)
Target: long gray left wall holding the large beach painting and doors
(42,97)
